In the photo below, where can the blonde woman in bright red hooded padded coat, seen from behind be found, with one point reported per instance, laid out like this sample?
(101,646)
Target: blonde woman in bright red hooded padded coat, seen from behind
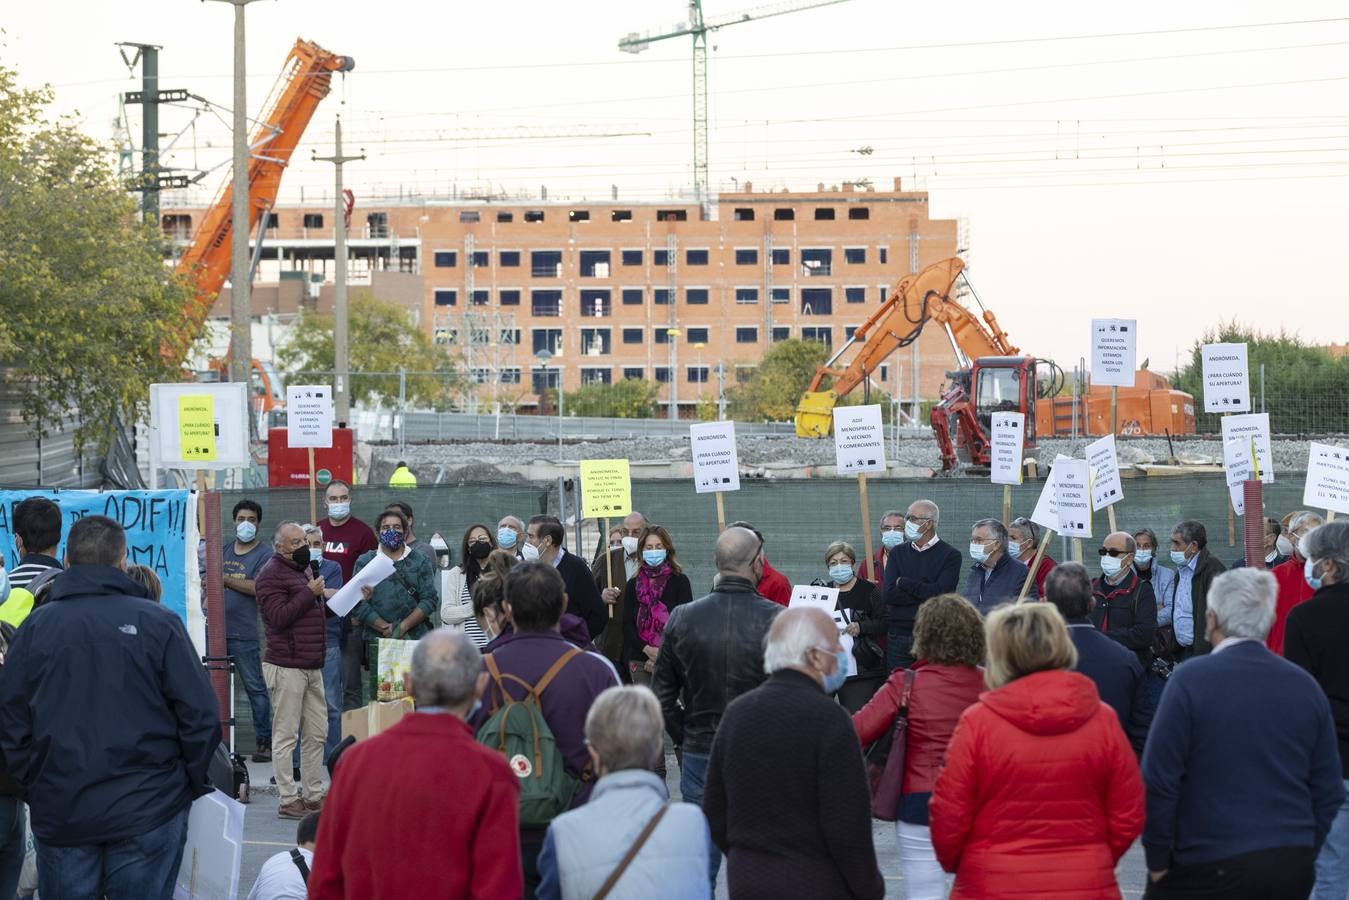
(1041,794)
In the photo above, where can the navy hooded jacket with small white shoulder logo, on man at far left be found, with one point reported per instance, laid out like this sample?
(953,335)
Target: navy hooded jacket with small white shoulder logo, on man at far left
(107,717)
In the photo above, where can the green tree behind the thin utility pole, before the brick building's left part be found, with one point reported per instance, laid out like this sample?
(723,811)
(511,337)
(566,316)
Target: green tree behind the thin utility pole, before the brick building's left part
(382,339)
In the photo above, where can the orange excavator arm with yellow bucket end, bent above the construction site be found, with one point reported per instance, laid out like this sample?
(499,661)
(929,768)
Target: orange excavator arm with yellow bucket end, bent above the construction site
(917,300)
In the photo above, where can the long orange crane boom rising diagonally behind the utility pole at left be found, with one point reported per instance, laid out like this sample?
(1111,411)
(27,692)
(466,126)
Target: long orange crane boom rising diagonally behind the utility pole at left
(306,80)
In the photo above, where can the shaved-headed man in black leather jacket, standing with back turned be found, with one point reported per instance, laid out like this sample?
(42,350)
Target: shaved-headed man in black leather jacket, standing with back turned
(713,652)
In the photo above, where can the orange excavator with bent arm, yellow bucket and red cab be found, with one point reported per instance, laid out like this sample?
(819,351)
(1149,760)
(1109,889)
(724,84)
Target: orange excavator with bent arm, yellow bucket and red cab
(995,377)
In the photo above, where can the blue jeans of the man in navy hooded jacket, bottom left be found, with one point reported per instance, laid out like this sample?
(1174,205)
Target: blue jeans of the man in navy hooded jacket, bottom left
(140,868)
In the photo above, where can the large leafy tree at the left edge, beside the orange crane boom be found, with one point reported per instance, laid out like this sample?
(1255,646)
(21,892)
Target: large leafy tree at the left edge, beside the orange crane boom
(91,314)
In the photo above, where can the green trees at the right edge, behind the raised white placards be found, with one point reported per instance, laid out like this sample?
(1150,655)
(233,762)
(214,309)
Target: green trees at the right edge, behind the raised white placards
(1307,389)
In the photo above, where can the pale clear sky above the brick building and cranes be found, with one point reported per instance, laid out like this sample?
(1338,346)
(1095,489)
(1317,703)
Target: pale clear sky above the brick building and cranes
(1181,164)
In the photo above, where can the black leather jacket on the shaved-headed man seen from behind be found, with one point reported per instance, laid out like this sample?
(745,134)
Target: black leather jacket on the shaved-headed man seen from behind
(712,652)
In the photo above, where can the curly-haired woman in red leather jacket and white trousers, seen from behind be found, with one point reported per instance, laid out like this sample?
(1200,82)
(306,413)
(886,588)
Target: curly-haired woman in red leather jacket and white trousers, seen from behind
(949,644)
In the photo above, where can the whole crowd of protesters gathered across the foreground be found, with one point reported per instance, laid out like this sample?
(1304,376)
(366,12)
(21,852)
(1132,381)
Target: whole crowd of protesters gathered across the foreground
(1022,729)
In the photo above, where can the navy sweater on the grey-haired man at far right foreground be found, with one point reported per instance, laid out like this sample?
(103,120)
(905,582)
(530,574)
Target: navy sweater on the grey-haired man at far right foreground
(1242,758)
